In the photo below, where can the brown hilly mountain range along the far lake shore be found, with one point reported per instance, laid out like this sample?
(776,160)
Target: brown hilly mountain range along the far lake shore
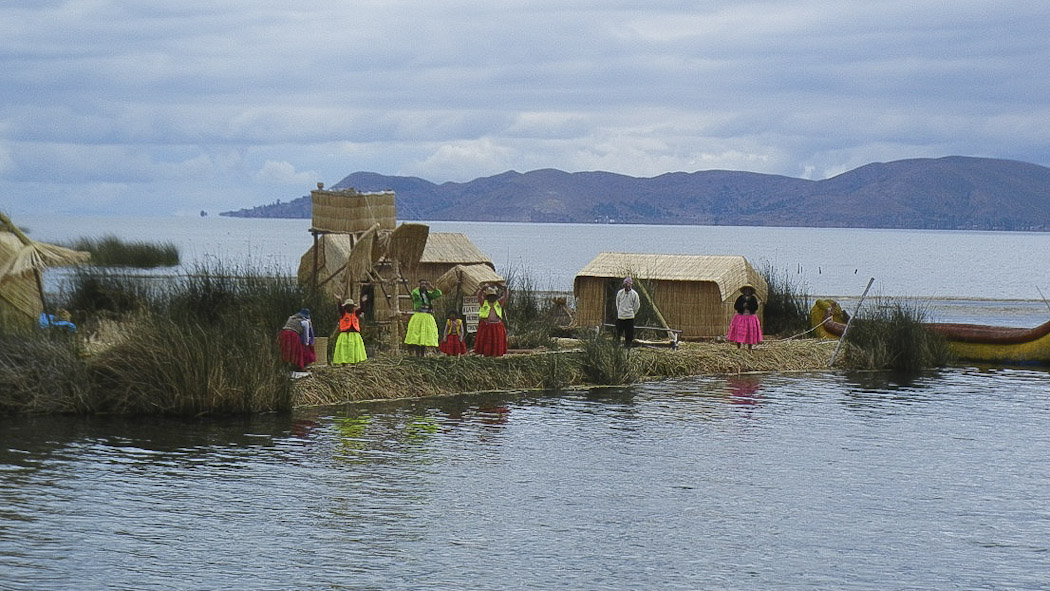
(950,194)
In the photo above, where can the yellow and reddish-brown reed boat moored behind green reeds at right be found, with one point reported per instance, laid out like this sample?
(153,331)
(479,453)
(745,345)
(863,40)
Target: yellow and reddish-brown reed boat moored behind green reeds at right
(971,343)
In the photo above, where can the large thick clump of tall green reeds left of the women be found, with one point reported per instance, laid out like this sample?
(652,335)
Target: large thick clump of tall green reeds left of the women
(200,344)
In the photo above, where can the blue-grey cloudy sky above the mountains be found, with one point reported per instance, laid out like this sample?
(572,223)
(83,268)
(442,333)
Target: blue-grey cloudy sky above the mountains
(121,108)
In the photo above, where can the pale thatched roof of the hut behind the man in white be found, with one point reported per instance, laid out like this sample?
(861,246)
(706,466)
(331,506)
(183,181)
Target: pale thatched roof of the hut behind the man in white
(729,272)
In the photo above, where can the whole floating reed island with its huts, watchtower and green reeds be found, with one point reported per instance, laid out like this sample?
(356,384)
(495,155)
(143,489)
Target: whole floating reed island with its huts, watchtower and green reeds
(203,342)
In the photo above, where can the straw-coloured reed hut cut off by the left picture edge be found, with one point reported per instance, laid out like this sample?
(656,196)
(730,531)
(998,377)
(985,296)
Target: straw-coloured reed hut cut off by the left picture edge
(23,265)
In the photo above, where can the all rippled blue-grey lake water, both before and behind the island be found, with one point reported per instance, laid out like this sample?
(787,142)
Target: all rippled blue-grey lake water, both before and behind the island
(796,481)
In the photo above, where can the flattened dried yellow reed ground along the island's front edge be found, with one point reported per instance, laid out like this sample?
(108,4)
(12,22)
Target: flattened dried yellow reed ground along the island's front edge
(409,377)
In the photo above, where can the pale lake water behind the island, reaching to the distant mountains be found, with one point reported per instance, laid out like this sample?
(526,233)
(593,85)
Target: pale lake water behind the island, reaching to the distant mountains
(996,278)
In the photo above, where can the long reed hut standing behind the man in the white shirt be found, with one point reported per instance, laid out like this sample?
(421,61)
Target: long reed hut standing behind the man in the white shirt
(694,294)
